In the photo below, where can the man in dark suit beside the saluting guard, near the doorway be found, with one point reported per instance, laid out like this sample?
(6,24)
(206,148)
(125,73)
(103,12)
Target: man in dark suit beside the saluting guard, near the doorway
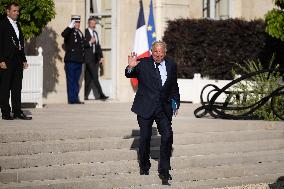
(93,59)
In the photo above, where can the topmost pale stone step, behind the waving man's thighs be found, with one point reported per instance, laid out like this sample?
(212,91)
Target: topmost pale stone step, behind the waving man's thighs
(179,127)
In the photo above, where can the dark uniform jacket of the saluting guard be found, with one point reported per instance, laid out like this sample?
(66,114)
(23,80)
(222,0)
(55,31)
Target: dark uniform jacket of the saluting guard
(74,45)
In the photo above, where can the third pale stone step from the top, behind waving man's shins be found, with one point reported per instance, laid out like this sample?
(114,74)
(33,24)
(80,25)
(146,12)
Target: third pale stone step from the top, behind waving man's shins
(46,159)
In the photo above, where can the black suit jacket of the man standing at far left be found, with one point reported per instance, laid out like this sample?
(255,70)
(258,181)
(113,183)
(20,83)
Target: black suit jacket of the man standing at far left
(9,43)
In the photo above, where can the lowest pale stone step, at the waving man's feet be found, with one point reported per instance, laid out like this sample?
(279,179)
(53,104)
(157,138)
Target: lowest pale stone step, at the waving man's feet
(272,169)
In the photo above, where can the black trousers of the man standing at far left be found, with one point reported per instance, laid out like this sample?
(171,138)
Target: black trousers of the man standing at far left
(11,80)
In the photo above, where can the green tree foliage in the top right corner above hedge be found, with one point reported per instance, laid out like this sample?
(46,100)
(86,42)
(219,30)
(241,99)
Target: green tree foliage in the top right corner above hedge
(275,20)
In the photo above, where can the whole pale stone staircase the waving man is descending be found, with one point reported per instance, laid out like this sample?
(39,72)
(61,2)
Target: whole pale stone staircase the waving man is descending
(95,146)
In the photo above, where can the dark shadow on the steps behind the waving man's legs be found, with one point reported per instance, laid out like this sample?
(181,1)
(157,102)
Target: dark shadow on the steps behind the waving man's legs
(155,143)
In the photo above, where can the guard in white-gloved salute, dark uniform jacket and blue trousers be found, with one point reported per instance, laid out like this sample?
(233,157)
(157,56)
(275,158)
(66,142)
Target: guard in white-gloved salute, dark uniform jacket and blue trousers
(74,42)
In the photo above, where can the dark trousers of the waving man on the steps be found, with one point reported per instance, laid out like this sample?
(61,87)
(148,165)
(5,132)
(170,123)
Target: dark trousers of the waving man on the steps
(165,130)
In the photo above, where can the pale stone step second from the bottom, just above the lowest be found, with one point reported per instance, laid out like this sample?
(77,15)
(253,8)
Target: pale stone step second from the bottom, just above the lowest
(130,166)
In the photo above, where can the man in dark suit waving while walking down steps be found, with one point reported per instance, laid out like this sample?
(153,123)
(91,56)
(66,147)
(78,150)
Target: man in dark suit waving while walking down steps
(157,99)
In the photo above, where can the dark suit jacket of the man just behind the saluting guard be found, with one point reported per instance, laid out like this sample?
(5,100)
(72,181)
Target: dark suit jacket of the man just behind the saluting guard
(91,57)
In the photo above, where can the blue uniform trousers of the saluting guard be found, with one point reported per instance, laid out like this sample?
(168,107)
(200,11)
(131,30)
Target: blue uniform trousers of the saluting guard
(73,72)
